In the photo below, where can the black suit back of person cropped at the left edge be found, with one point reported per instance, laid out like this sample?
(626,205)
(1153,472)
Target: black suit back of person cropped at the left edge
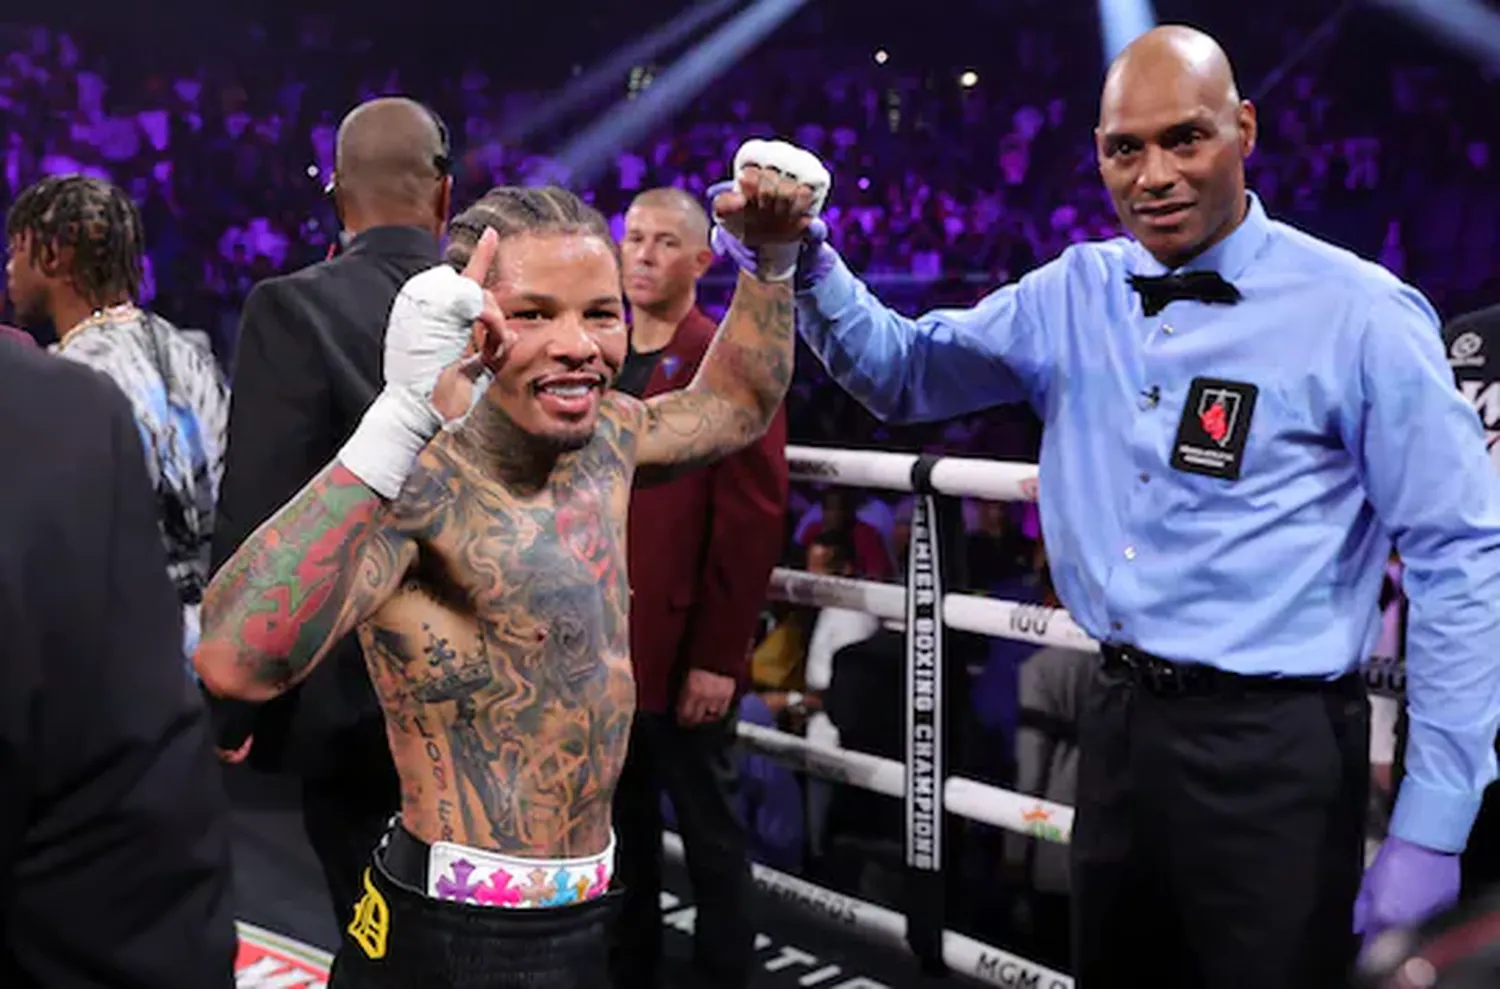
(115,852)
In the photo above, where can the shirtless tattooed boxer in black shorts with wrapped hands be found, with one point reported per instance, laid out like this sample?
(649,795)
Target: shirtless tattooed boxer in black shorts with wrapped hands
(491,595)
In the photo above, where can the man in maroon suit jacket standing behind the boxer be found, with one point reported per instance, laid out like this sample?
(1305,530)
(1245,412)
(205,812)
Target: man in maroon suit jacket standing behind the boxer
(701,555)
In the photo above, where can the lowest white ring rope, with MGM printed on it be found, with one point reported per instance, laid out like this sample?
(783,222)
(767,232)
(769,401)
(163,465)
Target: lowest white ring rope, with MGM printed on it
(964,955)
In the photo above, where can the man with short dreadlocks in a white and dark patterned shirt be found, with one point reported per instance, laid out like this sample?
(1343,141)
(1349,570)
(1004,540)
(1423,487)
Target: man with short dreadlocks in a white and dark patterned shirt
(76,259)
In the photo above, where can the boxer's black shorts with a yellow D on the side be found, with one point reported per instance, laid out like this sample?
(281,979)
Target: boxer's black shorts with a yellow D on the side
(406,939)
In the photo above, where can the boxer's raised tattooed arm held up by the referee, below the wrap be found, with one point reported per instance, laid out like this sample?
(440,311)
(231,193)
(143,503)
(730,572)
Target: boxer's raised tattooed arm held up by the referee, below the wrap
(739,388)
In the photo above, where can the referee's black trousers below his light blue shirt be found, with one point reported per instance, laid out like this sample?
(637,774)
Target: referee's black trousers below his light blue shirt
(1219,841)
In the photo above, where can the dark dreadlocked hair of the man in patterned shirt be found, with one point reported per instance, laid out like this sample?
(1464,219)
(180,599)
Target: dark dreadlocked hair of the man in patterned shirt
(94,221)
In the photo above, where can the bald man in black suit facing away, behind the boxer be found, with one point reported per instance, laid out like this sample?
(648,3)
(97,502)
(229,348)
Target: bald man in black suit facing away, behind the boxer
(308,367)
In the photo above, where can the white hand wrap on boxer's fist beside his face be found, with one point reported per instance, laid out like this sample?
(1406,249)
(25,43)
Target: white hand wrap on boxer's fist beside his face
(430,328)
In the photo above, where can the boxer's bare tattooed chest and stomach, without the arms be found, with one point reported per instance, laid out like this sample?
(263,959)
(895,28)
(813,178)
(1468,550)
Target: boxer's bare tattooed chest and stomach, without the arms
(505,663)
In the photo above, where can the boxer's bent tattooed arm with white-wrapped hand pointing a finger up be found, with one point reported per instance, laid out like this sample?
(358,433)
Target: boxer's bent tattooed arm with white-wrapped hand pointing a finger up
(334,555)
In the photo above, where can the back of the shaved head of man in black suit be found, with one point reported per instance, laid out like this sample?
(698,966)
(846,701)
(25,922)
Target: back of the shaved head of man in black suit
(389,166)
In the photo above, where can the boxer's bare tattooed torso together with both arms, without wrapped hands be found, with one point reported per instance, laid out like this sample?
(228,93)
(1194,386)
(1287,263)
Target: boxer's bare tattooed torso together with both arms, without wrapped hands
(494,618)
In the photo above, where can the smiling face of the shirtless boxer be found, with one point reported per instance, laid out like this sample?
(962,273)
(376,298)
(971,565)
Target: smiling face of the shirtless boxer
(562,299)
